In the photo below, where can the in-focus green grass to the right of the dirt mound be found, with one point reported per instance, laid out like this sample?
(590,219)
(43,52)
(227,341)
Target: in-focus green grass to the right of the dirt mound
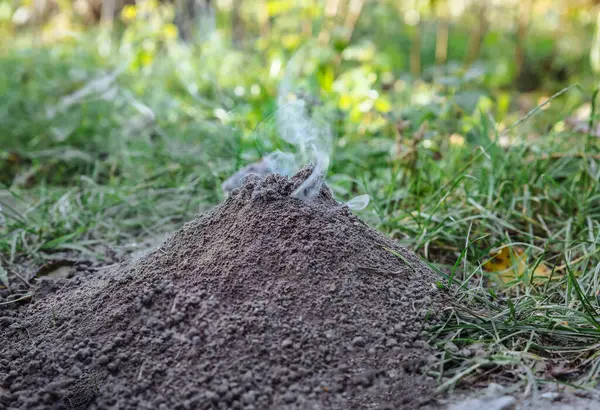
(518,331)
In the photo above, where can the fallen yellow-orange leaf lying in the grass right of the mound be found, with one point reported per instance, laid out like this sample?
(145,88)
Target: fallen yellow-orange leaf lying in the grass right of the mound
(510,263)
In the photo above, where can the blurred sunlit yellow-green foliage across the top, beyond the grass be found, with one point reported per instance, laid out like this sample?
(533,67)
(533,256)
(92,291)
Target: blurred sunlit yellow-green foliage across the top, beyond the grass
(364,61)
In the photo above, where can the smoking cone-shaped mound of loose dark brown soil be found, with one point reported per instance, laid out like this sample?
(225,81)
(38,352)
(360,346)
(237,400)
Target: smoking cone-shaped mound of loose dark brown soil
(264,302)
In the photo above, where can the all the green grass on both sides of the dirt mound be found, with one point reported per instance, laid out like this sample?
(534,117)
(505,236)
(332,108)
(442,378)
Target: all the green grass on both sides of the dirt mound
(142,154)
